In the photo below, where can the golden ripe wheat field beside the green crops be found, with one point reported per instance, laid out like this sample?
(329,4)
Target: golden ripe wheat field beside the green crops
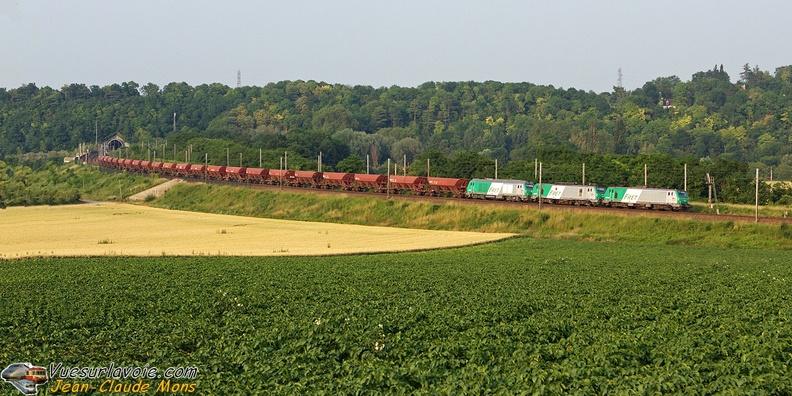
(112,229)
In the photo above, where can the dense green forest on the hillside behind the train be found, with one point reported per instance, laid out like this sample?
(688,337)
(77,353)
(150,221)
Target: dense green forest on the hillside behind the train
(709,123)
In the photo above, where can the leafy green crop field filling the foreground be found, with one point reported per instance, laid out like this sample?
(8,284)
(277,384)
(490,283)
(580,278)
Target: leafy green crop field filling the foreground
(518,316)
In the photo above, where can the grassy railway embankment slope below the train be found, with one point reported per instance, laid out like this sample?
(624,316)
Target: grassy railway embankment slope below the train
(449,215)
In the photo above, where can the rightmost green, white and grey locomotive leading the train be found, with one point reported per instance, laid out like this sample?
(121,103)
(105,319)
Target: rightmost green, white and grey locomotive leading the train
(646,198)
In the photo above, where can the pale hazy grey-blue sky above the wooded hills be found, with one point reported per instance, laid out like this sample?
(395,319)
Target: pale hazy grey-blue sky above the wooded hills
(565,43)
